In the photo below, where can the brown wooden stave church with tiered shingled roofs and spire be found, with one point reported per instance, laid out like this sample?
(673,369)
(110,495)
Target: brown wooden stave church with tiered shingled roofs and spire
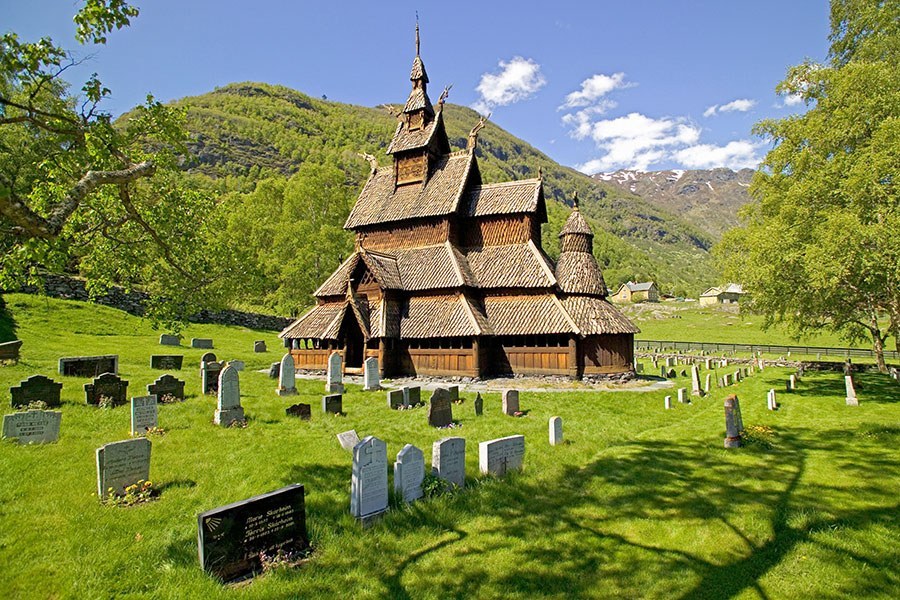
(449,278)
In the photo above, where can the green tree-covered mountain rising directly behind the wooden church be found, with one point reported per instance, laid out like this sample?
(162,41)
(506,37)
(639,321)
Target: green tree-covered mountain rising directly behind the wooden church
(244,133)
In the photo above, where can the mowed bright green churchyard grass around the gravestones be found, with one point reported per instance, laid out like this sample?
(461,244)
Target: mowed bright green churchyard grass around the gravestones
(639,502)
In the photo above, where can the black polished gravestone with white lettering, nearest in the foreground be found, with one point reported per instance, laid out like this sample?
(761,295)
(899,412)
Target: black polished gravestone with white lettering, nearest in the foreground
(230,538)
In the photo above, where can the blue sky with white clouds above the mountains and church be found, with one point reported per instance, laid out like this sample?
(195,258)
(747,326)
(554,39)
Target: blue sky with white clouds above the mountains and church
(602,85)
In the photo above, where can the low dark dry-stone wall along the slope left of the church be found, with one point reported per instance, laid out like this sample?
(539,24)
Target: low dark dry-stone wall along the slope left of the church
(71,288)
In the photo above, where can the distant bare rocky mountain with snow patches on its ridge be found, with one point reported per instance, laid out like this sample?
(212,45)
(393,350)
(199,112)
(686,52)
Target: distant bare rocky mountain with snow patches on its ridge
(708,198)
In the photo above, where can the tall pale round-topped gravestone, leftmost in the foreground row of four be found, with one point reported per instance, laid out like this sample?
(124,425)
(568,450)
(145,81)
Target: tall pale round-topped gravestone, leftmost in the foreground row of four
(368,486)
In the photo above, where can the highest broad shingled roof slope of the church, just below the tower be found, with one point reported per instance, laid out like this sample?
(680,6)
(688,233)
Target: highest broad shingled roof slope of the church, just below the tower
(382,202)
